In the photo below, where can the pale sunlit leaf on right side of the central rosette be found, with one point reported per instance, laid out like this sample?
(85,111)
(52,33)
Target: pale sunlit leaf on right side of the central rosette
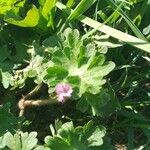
(92,79)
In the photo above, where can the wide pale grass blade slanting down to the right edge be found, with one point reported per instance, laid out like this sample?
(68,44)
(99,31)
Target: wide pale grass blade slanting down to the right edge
(124,37)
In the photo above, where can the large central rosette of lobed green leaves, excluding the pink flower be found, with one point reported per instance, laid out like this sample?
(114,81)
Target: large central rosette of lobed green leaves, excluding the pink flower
(78,63)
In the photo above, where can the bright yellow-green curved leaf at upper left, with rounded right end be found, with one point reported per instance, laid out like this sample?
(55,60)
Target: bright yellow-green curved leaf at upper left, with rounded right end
(31,19)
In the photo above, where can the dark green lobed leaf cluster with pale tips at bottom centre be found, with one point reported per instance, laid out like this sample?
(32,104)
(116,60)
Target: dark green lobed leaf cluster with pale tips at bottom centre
(68,137)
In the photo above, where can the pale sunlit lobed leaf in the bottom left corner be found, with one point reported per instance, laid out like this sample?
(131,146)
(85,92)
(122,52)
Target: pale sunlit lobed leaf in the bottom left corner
(20,141)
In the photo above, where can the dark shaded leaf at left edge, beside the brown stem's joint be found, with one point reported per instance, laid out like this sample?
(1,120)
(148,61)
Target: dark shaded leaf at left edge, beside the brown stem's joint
(8,122)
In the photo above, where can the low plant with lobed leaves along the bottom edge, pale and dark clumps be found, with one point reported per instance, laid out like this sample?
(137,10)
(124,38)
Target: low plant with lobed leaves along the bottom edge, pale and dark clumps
(67,137)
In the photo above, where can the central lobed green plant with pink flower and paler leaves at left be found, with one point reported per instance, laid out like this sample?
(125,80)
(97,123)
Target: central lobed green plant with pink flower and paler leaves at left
(71,70)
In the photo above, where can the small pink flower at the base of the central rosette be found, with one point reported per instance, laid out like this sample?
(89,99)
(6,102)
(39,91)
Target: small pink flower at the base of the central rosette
(63,91)
